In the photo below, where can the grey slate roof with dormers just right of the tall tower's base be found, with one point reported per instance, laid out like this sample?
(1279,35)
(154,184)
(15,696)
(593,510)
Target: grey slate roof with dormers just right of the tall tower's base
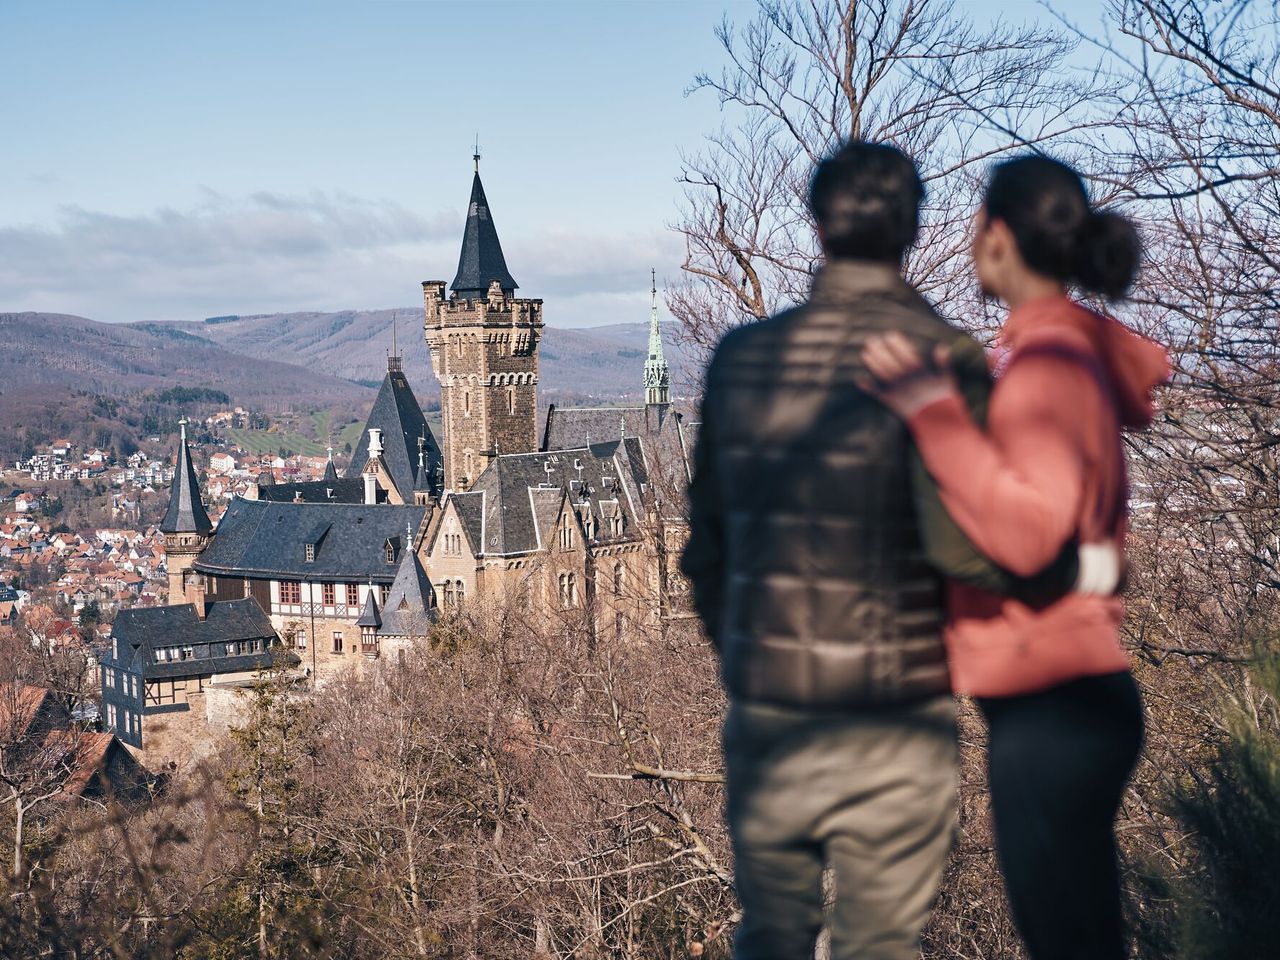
(515,490)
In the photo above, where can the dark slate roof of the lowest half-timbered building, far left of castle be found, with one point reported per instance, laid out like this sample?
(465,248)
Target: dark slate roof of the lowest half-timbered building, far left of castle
(143,630)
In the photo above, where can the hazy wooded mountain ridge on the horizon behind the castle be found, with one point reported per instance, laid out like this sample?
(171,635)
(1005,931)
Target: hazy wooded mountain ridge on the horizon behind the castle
(307,360)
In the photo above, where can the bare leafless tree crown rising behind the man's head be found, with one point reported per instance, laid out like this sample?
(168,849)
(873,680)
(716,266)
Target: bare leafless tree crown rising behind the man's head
(806,76)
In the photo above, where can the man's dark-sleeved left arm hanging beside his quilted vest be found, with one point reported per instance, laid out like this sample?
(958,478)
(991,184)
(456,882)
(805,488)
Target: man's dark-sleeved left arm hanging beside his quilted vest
(703,560)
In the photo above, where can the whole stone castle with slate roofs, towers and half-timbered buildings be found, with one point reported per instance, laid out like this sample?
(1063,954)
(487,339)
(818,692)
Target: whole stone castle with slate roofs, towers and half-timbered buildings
(575,520)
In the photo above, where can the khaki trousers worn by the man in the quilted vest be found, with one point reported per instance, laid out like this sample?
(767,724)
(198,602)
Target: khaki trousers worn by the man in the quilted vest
(871,797)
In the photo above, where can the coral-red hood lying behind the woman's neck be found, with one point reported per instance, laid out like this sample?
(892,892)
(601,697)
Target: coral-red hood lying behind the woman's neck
(1135,364)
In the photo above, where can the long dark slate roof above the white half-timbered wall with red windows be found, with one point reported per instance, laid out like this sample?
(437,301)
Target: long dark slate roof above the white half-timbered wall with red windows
(266,540)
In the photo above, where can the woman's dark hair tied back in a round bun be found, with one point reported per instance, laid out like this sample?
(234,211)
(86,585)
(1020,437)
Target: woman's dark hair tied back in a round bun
(1058,231)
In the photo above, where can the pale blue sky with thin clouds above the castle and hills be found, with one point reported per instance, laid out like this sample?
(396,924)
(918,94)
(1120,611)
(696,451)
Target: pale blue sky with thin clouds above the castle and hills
(179,161)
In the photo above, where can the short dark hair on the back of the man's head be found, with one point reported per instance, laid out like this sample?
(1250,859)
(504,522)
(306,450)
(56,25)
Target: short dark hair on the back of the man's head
(867,200)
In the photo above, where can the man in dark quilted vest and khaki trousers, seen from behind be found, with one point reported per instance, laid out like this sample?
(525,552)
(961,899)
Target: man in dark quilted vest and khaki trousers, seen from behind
(810,570)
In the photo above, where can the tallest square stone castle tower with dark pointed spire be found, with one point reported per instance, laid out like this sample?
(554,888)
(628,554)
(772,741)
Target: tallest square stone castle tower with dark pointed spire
(484,353)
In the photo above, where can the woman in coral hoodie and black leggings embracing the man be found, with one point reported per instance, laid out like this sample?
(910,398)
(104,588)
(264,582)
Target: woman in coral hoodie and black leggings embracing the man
(1053,679)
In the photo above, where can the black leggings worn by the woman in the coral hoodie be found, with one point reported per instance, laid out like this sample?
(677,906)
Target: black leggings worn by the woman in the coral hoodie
(1058,764)
